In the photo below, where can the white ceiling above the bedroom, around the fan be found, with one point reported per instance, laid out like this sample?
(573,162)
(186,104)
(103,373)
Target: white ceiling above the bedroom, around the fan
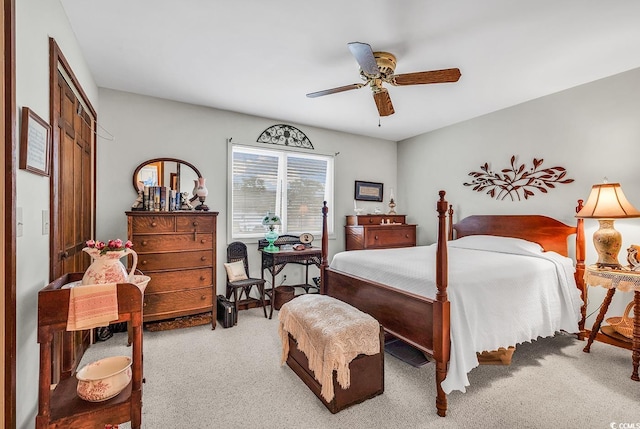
(261,57)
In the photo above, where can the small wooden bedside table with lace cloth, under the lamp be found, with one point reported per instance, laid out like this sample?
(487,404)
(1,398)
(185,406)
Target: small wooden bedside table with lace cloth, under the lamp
(613,280)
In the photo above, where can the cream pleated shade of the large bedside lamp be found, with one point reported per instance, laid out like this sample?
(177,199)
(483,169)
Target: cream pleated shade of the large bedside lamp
(607,201)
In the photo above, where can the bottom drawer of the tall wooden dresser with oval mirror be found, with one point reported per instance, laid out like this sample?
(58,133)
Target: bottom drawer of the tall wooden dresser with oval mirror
(174,304)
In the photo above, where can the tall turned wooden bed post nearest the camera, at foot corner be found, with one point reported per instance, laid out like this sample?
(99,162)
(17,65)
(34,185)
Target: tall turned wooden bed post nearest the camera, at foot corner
(441,315)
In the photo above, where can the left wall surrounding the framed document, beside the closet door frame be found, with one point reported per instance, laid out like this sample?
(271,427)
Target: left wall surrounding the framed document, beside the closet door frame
(36,21)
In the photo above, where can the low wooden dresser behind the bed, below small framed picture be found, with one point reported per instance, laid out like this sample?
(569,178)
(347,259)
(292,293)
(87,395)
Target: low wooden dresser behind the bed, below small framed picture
(369,232)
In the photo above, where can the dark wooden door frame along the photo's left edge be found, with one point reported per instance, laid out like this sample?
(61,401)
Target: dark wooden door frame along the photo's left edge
(8,235)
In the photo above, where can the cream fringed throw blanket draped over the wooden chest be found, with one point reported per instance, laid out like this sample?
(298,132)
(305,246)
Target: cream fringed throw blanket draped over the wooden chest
(330,333)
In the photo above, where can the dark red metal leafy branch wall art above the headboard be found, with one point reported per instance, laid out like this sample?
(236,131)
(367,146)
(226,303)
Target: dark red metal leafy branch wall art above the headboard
(517,181)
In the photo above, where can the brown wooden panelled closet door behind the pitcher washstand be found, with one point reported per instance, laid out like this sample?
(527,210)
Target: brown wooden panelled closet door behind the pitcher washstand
(71,208)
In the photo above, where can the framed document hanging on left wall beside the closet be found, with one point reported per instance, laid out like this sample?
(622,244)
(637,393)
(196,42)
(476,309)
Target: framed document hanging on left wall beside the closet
(35,143)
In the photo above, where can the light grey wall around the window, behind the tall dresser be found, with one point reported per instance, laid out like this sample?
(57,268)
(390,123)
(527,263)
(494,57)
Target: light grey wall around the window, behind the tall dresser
(144,128)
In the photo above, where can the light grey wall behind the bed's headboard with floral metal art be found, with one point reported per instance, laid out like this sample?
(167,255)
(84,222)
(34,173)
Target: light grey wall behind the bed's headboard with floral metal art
(592,130)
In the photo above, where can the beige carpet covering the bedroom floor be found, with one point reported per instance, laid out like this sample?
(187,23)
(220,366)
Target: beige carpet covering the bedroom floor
(231,378)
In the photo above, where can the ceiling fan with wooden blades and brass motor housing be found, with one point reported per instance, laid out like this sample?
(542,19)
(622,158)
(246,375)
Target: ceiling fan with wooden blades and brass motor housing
(379,67)
